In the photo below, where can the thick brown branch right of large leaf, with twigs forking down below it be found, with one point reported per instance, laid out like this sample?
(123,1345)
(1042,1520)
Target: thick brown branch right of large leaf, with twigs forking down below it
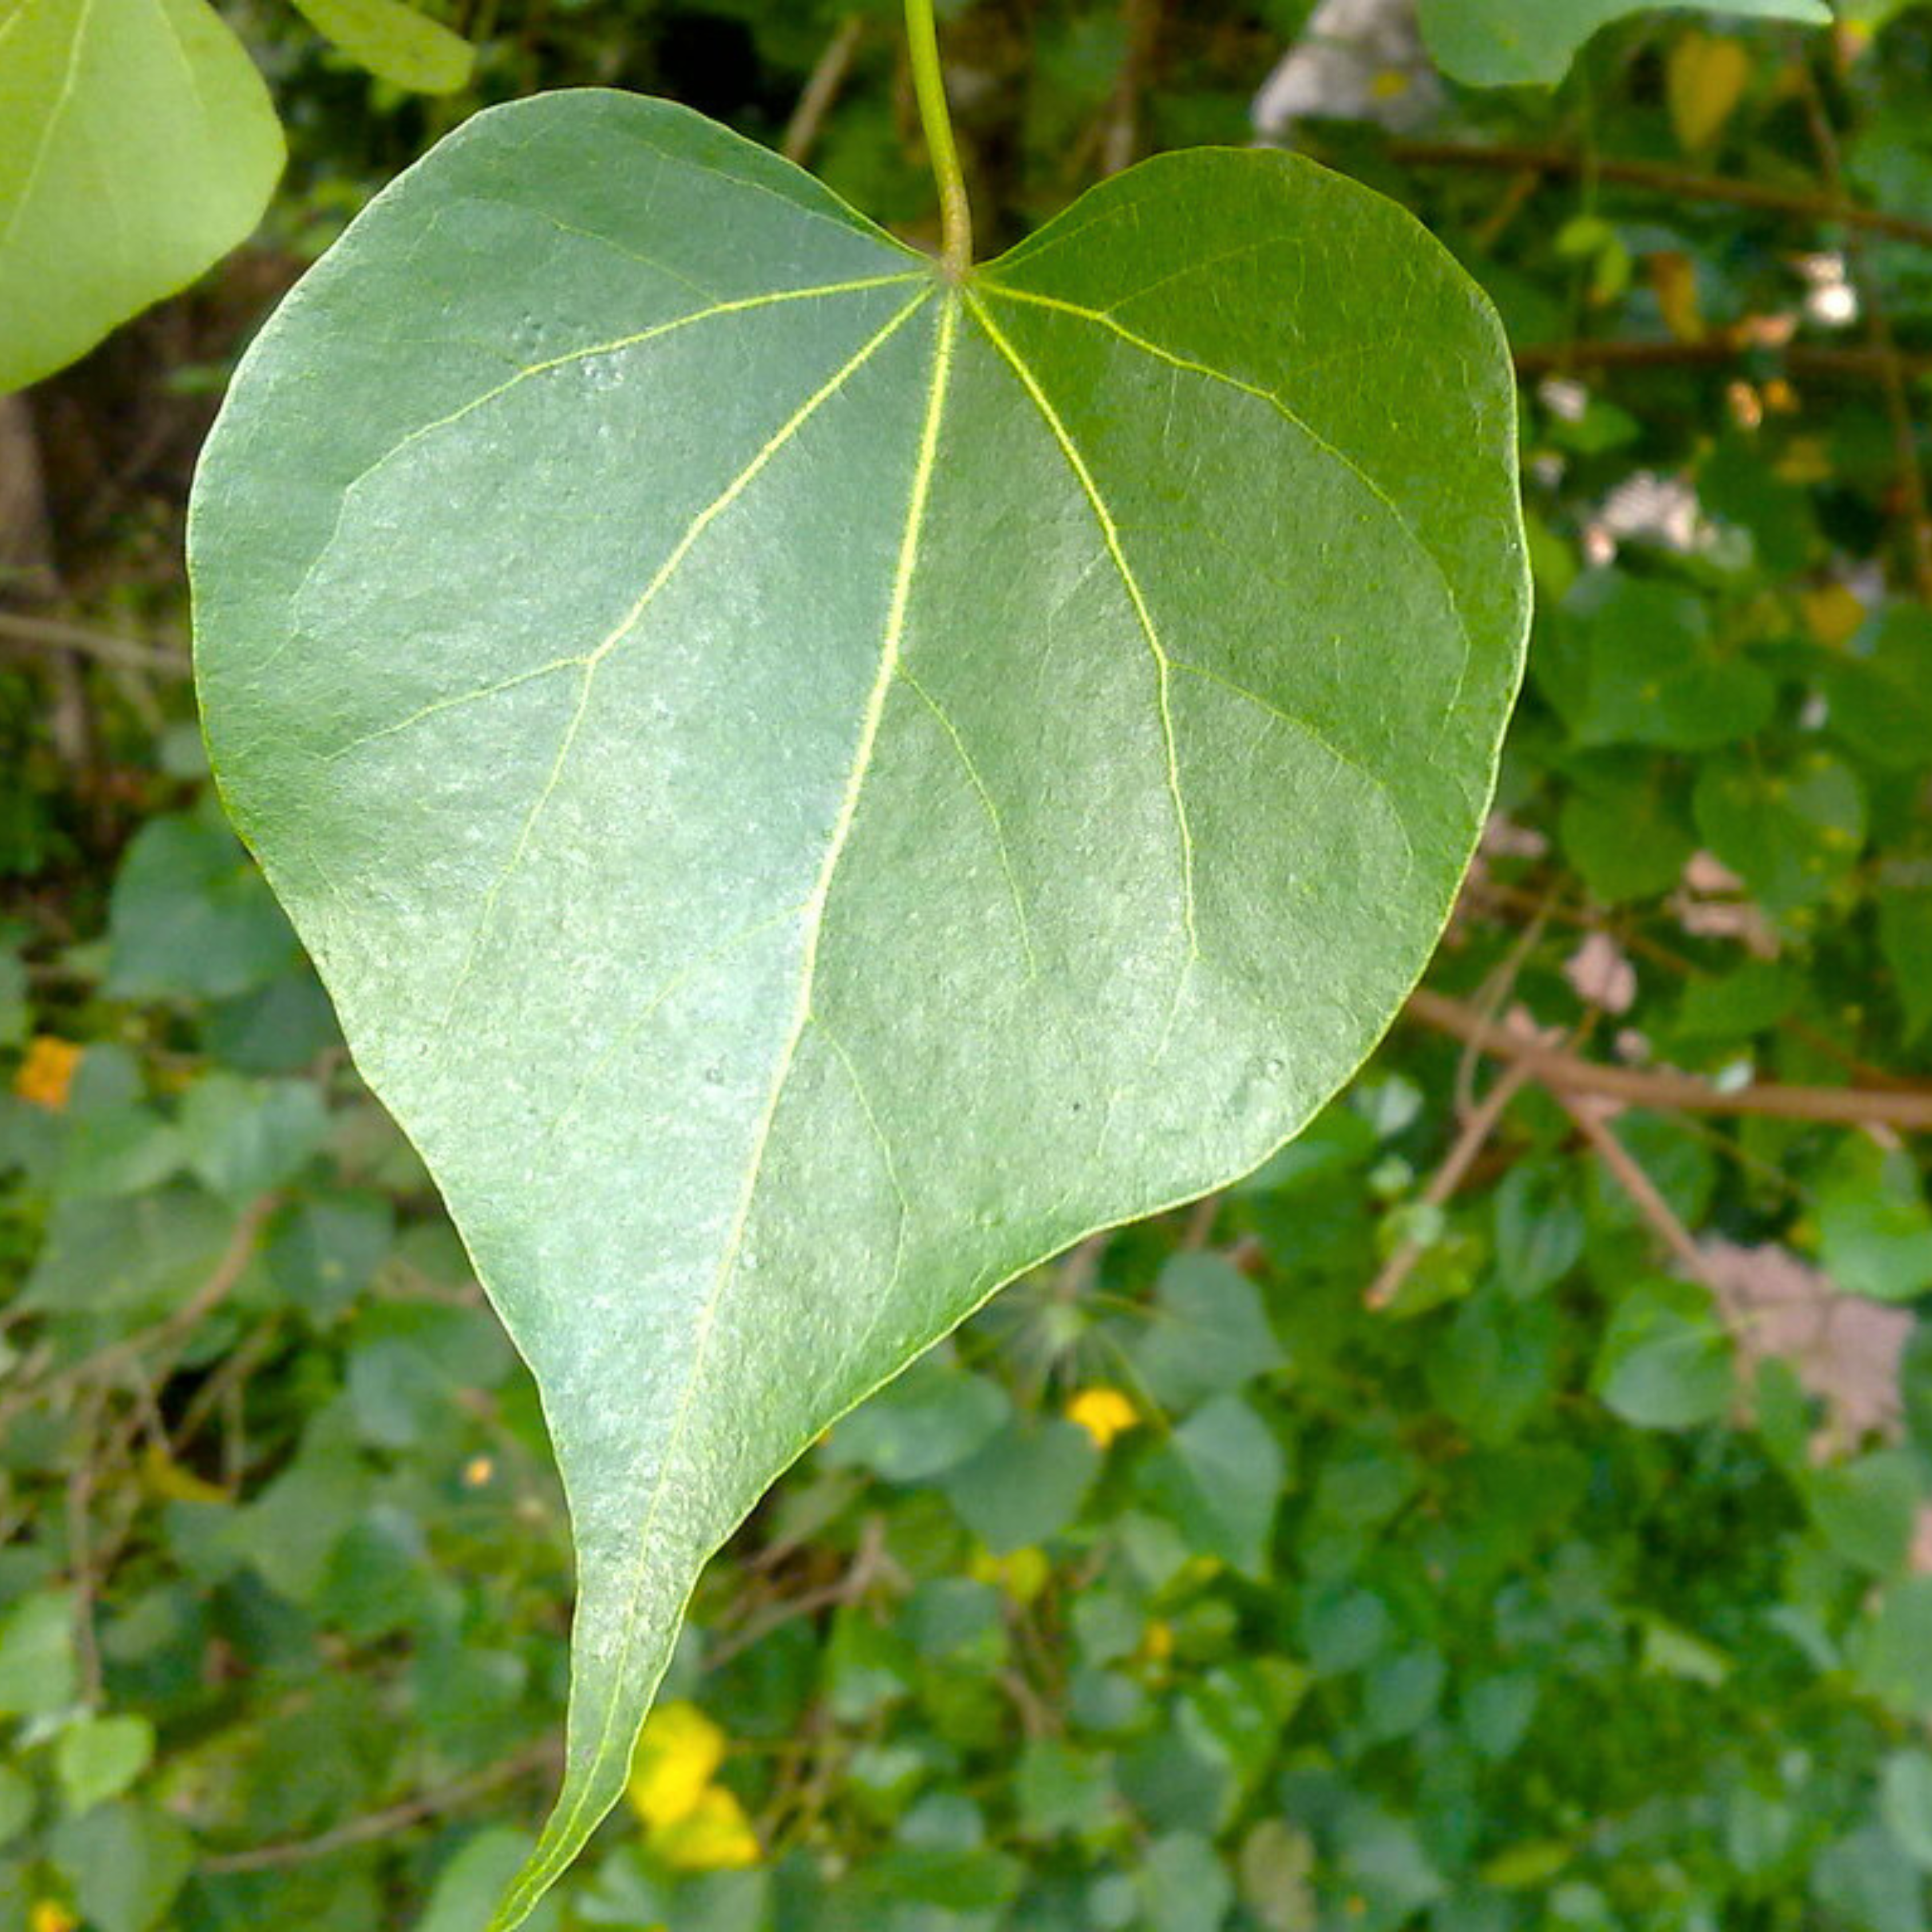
(1564,1073)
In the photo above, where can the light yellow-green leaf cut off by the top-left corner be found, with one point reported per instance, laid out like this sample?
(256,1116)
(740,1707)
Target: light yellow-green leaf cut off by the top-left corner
(138,146)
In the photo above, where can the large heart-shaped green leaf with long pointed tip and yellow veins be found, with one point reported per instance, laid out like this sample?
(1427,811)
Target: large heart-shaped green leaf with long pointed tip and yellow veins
(814,787)
